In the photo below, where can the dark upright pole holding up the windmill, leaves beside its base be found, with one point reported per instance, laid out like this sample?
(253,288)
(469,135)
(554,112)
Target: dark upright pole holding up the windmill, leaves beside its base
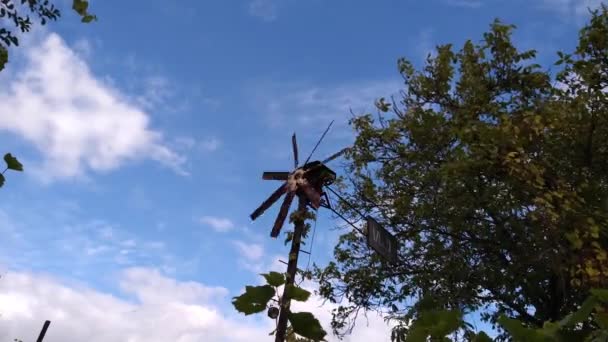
(292,268)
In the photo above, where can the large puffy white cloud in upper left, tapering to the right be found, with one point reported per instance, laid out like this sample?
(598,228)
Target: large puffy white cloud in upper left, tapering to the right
(77,122)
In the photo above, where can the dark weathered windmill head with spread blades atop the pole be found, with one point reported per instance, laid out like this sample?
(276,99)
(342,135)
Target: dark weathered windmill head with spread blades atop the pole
(306,181)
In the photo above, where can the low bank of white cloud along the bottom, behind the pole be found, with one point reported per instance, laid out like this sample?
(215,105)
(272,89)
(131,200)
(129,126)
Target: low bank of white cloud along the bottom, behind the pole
(163,310)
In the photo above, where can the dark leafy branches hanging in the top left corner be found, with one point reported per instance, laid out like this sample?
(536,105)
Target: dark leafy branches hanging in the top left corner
(12,13)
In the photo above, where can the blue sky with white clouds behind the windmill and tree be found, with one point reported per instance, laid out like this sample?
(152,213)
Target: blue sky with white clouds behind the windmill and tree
(144,136)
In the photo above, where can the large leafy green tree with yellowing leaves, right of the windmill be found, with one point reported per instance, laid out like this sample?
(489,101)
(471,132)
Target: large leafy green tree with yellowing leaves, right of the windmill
(492,175)
